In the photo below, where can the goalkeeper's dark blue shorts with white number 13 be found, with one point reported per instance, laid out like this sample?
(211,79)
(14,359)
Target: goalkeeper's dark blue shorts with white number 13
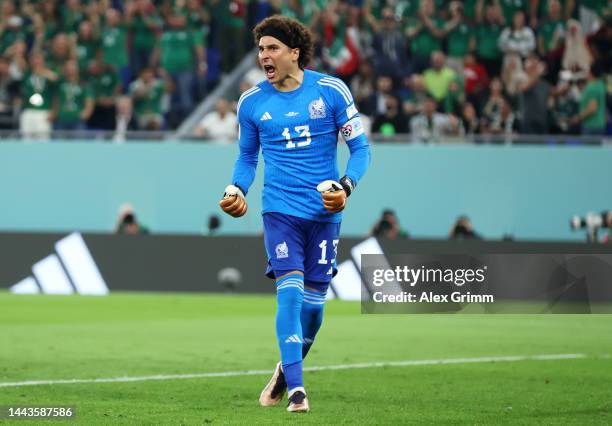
(296,244)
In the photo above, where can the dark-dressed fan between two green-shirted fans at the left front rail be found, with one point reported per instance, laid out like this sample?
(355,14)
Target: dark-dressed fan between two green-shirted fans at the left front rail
(105,88)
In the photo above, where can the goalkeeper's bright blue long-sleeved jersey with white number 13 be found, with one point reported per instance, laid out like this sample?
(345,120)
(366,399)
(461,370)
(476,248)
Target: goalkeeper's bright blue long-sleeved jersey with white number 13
(298,132)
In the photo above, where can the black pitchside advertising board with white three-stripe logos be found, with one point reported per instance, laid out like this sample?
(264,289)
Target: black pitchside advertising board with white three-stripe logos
(386,276)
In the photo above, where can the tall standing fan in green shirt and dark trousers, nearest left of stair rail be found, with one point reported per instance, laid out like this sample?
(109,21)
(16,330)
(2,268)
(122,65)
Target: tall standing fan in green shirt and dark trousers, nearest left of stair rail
(179,54)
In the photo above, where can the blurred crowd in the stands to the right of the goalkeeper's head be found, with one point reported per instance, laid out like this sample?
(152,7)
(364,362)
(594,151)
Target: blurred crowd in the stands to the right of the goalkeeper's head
(436,68)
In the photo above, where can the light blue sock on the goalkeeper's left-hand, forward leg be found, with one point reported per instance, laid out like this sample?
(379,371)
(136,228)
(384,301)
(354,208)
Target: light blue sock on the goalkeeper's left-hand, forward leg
(289,297)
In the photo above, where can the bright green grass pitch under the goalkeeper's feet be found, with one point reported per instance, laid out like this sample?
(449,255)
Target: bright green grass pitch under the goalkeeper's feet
(127,334)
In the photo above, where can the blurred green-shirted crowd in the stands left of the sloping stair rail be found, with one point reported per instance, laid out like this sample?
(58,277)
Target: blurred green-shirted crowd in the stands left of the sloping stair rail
(112,65)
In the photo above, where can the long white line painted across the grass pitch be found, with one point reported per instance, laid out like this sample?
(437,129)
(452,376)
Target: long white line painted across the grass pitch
(406,363)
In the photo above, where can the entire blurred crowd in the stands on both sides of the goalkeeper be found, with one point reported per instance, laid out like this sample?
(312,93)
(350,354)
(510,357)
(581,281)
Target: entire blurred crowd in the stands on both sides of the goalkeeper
(427,67)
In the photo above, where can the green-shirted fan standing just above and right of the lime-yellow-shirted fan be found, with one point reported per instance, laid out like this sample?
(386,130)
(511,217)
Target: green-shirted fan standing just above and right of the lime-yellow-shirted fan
(460,37)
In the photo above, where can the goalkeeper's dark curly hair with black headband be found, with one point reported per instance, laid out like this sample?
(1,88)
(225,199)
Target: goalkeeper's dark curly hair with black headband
(298,35)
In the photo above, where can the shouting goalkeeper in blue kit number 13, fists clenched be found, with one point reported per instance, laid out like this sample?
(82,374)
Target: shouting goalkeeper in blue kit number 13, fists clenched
(295,116)
